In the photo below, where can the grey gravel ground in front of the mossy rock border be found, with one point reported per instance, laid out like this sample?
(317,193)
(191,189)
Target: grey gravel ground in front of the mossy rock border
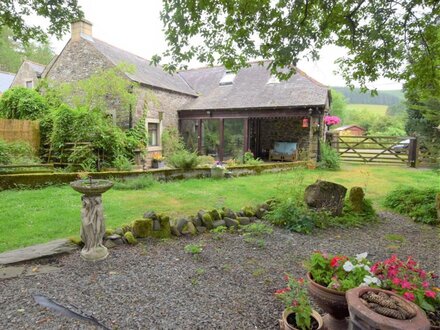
(156,285)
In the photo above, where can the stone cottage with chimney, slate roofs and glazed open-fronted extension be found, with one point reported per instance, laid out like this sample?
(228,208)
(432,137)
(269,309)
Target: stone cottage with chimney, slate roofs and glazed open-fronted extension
(218,113)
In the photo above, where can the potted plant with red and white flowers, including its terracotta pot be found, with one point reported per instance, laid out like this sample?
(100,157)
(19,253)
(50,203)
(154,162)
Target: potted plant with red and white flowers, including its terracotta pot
(330,276)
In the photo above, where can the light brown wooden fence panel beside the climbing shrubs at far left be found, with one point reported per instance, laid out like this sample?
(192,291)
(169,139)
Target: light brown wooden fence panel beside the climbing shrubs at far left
(21,130)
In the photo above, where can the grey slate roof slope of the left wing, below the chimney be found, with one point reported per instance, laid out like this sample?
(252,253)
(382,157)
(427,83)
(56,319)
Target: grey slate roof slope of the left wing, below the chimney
(145,73)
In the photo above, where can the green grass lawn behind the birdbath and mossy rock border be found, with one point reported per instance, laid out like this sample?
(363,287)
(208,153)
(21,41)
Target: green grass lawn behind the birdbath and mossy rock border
(34,216)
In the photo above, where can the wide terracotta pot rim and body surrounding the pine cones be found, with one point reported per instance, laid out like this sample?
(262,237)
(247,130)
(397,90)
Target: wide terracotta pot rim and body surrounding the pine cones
(362,317)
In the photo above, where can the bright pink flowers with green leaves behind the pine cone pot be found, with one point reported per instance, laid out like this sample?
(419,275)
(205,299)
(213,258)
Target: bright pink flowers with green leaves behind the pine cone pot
(407,279)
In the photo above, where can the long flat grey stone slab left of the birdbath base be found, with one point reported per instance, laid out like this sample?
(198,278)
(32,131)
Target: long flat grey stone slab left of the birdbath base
(37,251)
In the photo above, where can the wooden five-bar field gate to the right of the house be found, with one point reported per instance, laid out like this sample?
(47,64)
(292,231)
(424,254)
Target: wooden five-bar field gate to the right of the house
(376,149)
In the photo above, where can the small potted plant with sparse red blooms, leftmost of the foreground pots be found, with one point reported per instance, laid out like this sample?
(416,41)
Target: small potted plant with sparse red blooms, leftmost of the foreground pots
(298,312)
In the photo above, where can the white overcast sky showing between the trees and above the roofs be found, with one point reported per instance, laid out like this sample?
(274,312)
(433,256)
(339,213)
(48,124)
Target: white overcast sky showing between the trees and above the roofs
(135,26)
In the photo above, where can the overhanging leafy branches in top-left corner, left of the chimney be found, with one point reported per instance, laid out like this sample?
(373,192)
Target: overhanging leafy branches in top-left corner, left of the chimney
(60,13)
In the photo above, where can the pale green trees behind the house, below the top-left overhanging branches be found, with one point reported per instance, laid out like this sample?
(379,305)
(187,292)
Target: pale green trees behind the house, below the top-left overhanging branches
(12,53)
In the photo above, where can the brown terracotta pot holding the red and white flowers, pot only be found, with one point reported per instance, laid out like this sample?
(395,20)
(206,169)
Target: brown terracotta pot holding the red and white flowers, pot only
(332,302)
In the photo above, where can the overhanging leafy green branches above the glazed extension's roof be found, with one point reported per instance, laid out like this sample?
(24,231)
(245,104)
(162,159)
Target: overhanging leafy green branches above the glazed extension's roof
(379,34)
